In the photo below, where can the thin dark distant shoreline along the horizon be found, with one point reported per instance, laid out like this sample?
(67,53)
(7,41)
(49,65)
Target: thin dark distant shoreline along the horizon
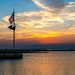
(29,51)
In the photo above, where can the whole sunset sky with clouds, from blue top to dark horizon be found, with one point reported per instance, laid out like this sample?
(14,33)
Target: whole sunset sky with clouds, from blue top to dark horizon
(40,23)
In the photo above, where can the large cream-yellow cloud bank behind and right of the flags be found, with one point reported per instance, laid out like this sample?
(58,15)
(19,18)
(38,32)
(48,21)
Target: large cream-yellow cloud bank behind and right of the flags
(36,20)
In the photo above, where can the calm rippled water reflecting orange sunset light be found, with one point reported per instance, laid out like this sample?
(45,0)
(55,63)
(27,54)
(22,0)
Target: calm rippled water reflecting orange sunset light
(51,63)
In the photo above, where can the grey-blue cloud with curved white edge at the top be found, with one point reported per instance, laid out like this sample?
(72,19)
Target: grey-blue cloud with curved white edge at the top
(51,5)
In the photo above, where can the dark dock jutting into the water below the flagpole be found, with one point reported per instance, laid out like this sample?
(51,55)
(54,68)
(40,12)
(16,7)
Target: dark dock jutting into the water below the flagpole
(10,55)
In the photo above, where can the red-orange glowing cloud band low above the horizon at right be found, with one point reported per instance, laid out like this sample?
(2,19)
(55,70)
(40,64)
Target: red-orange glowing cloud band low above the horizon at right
(58,40)
